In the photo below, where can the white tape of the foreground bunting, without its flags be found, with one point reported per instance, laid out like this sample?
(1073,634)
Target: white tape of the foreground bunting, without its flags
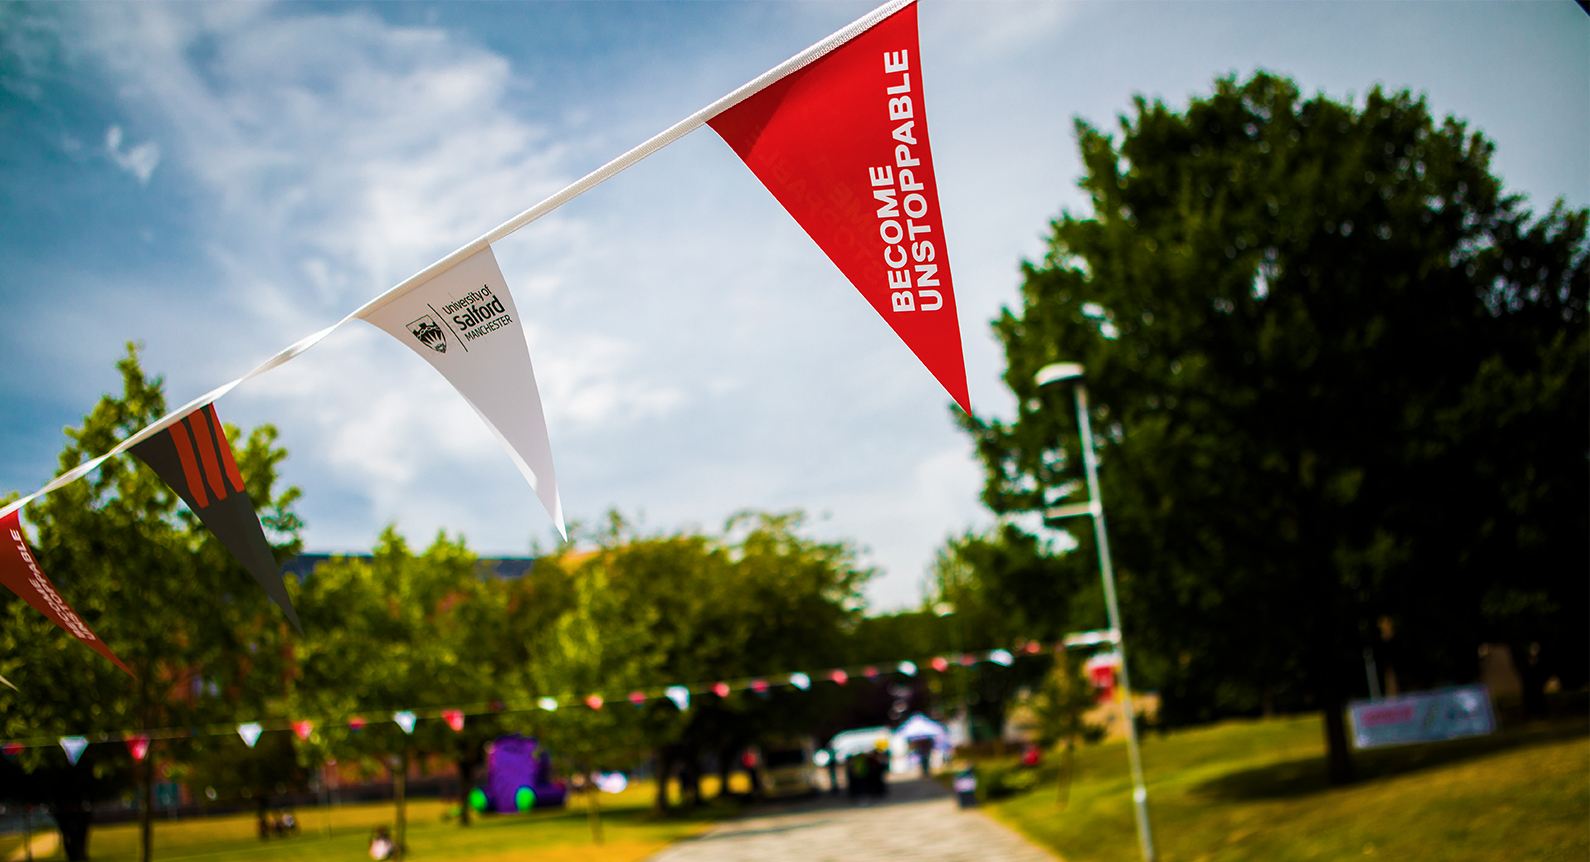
(570,193)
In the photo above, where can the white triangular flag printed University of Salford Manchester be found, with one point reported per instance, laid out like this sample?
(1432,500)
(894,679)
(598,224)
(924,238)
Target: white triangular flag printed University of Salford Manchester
(463,322)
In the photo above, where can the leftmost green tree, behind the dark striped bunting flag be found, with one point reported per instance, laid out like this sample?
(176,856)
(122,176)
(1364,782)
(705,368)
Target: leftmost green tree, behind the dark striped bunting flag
(166,597)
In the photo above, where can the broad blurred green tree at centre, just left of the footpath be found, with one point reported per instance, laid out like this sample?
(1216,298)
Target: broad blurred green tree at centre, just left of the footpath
(688,608)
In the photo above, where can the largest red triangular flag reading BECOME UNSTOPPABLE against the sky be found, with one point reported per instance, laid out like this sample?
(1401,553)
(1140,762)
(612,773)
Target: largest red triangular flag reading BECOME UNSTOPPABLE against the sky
(842,144)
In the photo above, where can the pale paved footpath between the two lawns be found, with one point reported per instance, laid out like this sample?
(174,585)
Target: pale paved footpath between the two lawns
(918,821)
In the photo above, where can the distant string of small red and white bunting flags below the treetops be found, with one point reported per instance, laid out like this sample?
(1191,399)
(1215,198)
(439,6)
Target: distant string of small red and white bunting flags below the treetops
(408,720)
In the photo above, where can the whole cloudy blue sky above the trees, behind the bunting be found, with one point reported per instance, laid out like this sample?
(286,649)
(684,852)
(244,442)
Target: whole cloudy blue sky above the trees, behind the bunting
(217,181)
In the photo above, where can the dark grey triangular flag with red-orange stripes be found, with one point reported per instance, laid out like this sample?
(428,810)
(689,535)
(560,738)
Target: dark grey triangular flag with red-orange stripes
(193,457)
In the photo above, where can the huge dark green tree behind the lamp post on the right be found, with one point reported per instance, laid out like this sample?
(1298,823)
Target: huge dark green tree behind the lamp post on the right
(1338,387)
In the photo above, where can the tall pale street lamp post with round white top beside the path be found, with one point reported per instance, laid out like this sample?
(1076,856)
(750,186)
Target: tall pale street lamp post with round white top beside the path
(1095,507)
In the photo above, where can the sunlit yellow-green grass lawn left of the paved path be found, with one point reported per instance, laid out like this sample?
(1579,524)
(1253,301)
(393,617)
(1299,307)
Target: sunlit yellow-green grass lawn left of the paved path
(629,829)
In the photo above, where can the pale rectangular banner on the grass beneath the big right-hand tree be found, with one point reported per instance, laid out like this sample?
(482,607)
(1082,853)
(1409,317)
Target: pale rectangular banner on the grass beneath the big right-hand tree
(1422,718)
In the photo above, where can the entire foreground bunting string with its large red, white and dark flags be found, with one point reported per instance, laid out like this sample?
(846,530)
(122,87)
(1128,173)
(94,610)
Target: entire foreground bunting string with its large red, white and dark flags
(837,134)
